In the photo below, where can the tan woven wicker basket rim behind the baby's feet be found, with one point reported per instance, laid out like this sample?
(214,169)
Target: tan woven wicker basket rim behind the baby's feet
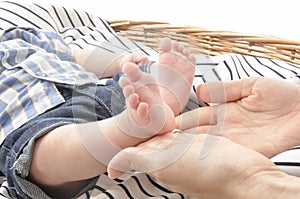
(210,42)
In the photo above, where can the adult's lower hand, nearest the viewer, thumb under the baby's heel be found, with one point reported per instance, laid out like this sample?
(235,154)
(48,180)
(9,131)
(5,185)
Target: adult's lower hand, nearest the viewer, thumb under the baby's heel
(229,170)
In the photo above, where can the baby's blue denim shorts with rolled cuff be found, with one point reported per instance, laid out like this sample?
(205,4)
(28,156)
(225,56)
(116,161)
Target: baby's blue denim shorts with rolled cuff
(82,104)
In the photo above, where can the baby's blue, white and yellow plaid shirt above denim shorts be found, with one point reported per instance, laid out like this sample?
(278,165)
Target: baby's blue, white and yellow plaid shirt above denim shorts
(32,61)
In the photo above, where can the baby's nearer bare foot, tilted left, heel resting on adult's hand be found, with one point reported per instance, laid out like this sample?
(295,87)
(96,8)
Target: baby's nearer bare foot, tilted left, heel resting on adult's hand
(147,113)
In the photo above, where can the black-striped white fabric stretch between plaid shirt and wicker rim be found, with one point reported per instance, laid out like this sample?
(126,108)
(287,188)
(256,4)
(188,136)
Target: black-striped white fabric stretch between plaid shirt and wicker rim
(78,28)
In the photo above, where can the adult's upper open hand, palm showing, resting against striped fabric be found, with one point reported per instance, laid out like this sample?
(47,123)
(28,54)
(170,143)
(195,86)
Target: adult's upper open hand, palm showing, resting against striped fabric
(260,113)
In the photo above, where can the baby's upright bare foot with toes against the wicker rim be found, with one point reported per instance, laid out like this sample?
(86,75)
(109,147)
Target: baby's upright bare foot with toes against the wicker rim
(176,71)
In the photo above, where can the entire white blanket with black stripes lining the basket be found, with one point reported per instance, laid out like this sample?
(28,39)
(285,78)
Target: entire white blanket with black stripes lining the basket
(82,29)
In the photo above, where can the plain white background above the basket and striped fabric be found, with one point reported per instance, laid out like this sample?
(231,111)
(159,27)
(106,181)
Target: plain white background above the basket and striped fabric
(264,17)
